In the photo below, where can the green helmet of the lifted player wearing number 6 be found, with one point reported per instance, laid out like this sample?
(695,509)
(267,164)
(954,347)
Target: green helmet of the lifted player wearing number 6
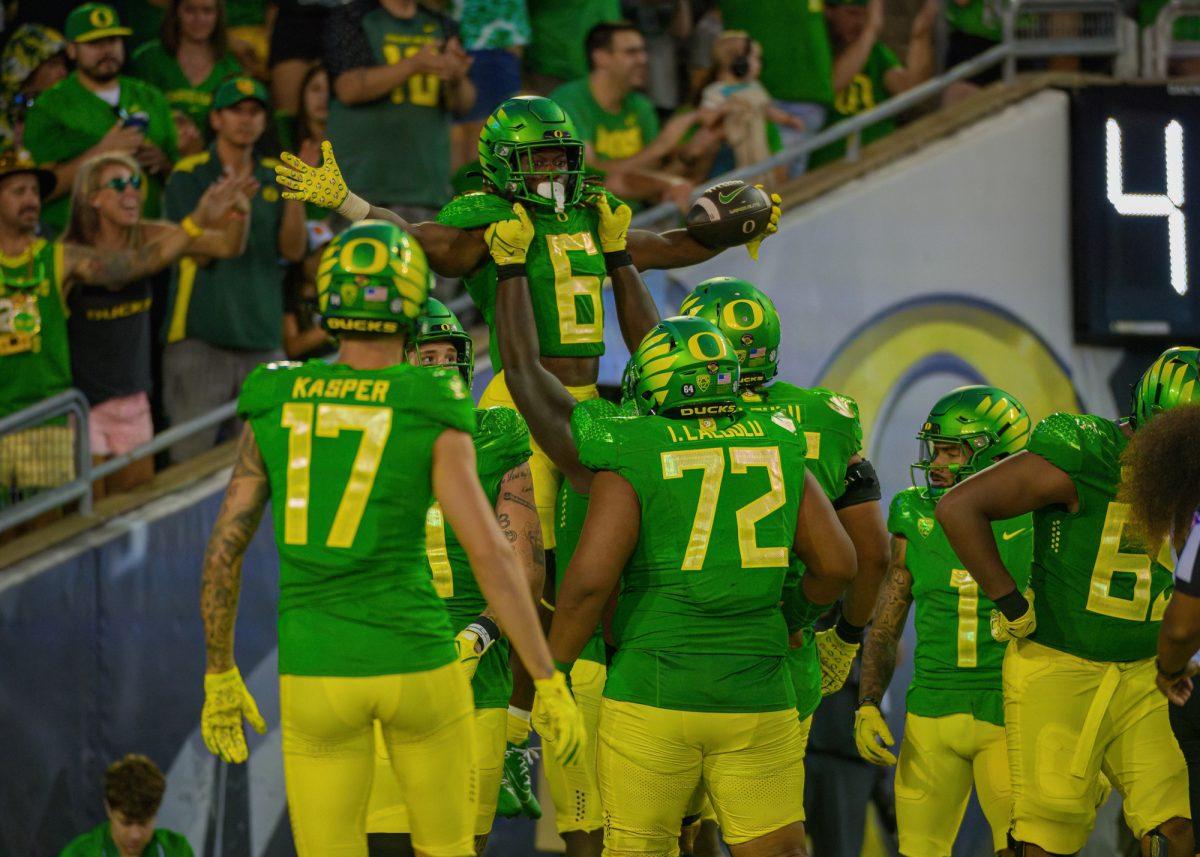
(508,141)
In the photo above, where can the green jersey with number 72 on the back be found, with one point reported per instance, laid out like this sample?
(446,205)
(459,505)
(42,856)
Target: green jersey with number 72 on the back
(698,624)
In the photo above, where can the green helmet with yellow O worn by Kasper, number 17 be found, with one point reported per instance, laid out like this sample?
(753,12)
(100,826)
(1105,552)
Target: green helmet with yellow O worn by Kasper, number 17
(374,279)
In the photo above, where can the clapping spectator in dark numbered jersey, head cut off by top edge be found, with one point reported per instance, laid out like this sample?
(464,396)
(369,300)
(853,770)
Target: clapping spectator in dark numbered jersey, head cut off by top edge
(400,76)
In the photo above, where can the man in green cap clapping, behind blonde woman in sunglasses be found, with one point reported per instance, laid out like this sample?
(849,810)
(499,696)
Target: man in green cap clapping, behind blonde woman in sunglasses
(226,316)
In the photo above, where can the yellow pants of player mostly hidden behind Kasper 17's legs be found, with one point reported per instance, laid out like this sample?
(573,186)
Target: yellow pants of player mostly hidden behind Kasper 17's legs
(388,808)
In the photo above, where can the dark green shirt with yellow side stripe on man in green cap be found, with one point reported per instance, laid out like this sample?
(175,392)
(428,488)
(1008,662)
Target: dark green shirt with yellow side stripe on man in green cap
(229,303)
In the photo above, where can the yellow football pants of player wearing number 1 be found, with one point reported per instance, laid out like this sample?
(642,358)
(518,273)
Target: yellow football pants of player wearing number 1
(940,759)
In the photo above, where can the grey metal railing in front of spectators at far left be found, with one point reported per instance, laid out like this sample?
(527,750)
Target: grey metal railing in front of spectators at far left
(73,404)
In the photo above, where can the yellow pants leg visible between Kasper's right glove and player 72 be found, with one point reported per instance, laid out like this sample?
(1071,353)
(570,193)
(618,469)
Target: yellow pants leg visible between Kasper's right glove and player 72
(575,790)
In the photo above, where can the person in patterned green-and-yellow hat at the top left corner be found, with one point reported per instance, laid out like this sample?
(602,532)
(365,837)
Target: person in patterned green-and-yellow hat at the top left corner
(33,62)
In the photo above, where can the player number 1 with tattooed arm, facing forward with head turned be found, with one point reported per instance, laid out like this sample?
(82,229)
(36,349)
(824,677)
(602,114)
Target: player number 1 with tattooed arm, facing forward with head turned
(955,729)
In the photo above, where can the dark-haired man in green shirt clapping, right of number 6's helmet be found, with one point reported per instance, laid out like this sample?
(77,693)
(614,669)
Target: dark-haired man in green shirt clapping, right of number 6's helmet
(621,129)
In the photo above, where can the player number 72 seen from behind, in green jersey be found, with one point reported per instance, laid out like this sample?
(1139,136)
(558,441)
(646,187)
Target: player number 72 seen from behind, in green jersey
(695,510)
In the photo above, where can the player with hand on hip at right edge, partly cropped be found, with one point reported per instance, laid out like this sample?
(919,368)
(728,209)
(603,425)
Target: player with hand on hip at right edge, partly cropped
(1079,681)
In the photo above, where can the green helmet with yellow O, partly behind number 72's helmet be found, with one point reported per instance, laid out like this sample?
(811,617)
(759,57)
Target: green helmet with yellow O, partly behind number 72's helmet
(748,320)
